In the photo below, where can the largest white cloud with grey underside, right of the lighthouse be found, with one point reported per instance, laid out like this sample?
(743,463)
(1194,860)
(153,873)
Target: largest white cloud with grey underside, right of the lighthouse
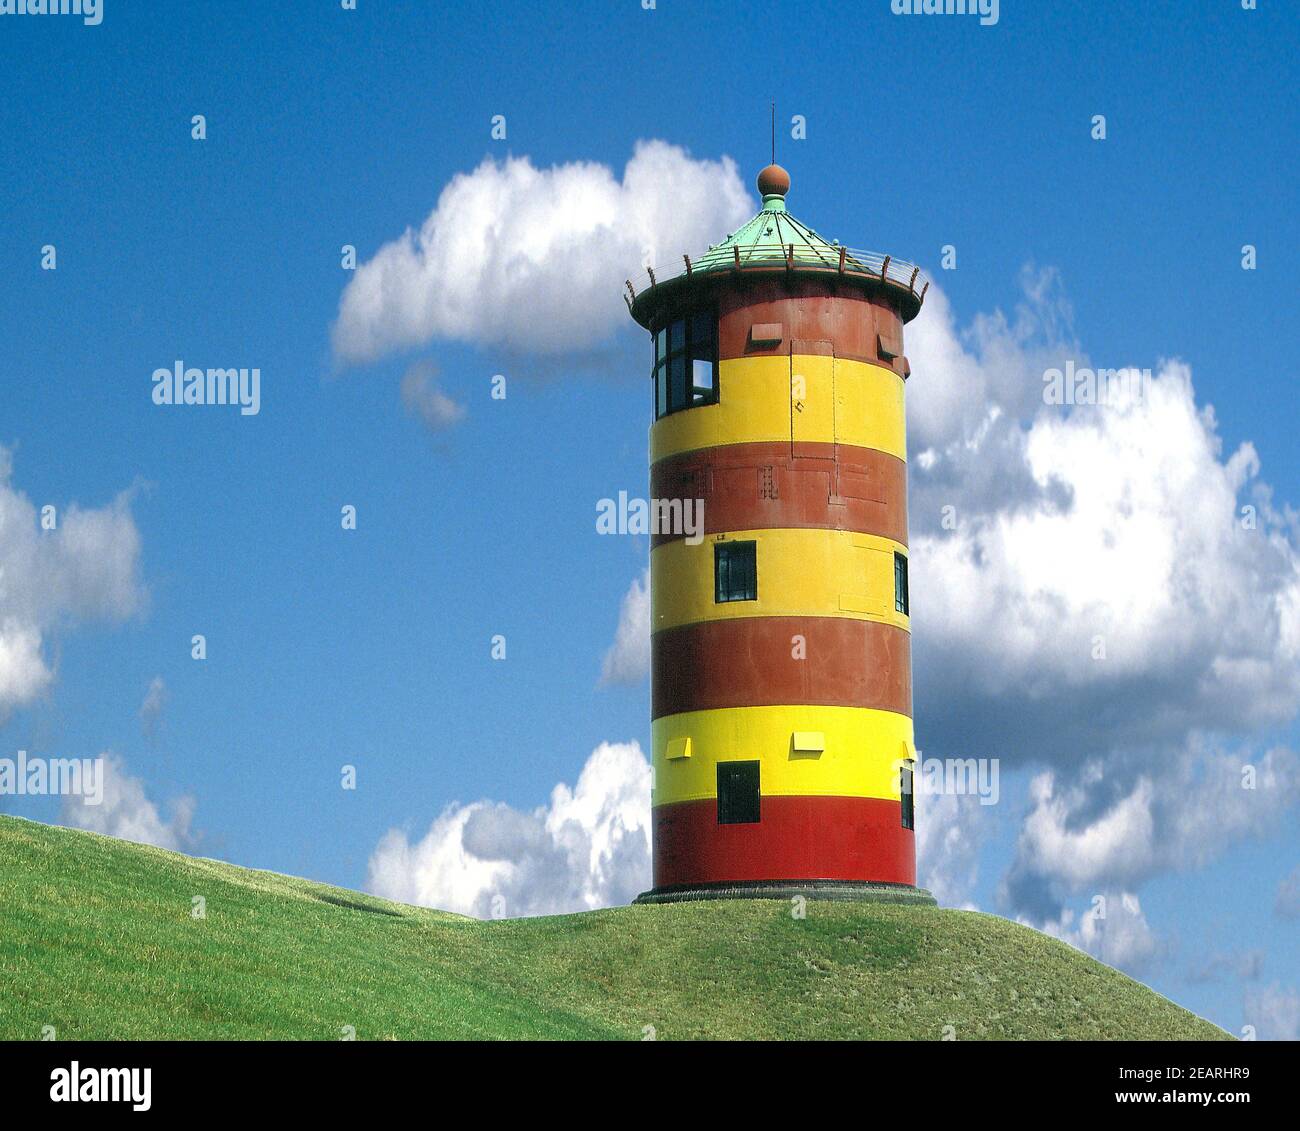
(1097,580)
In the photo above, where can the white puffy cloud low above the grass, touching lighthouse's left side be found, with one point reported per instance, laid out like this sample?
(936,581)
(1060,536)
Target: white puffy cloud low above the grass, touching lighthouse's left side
(588,848)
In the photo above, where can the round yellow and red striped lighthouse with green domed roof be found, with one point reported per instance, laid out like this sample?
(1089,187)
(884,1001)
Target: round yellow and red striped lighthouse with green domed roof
(782,726)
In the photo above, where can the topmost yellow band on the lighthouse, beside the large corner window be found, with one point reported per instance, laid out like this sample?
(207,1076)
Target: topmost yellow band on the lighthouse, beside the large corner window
(803,398)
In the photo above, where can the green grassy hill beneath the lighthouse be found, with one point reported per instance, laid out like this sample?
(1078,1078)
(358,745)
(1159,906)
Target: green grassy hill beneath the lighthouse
(98,941)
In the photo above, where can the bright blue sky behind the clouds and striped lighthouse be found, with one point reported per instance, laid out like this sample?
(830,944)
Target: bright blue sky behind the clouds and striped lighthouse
(372,648)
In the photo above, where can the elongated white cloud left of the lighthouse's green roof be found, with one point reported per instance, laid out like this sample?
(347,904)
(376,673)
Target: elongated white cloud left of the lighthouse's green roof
(535,259)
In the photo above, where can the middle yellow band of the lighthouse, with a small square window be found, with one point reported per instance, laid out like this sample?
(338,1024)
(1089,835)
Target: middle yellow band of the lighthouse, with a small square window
(813,573)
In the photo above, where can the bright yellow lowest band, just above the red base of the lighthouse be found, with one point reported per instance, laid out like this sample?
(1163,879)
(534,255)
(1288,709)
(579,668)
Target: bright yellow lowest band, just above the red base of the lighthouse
(861,759)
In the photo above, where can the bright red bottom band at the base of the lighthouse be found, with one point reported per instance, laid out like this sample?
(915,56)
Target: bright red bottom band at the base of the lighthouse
(798,839)
